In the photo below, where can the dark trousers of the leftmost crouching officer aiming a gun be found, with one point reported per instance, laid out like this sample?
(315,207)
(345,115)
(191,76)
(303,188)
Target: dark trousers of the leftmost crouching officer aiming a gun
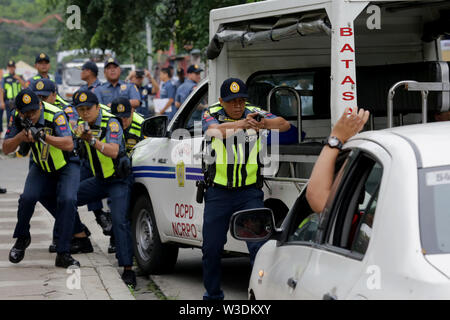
(57,193)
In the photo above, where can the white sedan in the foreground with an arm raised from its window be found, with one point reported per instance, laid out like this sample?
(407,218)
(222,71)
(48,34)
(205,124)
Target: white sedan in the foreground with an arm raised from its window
(384,234)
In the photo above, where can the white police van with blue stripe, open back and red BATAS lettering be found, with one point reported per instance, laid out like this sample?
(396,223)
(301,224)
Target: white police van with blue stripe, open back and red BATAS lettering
(304,60)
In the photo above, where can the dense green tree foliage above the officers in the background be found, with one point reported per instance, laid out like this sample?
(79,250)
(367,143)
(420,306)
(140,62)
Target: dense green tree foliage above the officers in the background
(120,25)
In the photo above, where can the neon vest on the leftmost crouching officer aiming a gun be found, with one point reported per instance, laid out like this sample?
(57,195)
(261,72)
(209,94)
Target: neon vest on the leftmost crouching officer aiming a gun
(48,157)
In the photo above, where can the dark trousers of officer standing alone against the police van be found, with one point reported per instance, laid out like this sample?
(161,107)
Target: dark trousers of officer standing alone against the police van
(220,204)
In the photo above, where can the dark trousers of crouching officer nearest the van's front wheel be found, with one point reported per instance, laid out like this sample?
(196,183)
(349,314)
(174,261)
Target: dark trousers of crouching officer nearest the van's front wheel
(117,190)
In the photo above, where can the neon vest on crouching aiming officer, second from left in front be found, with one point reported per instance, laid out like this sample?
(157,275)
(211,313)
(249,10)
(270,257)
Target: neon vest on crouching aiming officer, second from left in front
(101,165)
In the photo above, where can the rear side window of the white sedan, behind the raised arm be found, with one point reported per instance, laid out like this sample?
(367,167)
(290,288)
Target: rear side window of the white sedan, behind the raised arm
(354,207)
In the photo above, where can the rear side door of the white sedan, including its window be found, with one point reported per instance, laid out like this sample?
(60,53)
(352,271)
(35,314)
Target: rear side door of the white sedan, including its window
(337,262)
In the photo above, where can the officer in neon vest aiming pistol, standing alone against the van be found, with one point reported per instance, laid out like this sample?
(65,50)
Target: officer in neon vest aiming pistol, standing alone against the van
(232,185)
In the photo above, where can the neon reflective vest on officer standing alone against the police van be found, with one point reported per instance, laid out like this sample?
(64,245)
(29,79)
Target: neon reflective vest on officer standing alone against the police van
(238,165)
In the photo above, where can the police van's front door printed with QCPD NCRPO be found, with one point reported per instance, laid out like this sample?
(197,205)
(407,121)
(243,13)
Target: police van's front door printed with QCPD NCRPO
(180,159)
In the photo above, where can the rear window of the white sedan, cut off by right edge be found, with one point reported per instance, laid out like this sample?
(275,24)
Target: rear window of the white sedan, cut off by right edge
(434,206)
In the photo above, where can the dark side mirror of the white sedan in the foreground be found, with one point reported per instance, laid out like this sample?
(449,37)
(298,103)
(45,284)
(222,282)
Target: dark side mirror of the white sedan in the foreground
(253,225)
